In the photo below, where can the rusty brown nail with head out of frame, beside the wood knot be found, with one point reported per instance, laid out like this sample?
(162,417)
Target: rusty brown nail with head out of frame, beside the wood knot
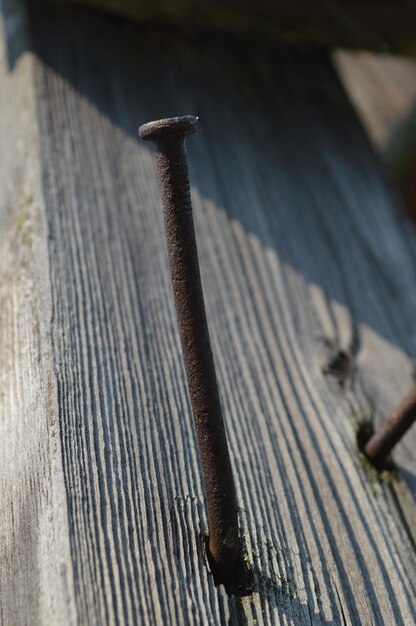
(381,443)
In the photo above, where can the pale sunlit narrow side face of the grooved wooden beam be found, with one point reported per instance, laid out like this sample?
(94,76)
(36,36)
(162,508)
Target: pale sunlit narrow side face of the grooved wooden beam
(36,577)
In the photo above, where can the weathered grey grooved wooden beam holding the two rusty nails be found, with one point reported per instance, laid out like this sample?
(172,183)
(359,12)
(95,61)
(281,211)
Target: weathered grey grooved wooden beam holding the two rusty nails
(305,255)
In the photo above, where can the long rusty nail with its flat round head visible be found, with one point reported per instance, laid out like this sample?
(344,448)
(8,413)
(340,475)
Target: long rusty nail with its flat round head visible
(169,135)
